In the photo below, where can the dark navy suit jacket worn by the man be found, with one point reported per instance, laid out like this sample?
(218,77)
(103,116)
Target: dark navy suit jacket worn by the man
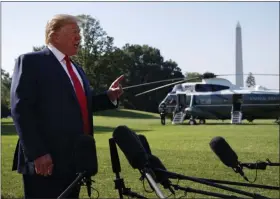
(46,111)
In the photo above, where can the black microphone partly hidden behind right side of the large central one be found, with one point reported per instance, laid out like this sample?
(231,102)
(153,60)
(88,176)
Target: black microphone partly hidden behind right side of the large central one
(155,163)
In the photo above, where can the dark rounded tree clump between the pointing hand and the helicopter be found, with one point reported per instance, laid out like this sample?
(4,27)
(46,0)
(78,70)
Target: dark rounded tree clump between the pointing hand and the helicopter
(145,64)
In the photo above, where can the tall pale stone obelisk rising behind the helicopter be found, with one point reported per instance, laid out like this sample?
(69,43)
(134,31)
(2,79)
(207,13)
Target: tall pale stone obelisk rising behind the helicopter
(238,58)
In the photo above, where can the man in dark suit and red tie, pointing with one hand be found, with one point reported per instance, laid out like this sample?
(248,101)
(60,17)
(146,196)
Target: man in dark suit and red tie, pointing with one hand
(51,104)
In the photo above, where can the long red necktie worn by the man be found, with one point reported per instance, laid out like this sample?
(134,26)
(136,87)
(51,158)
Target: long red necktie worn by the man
(80,94)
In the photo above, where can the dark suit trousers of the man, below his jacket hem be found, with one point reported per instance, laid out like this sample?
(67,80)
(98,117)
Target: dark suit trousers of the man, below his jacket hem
(36,186)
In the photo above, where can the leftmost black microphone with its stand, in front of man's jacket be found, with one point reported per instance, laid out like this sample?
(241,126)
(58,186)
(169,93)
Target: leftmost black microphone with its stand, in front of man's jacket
(85,159)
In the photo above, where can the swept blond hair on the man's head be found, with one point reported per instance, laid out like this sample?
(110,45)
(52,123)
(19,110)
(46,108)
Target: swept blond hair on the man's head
(56,23)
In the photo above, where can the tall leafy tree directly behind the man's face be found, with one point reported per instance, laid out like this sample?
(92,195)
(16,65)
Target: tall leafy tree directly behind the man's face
(94,48)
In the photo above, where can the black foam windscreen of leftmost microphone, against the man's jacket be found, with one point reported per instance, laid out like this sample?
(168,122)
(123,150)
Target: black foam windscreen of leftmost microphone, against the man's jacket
(85,155)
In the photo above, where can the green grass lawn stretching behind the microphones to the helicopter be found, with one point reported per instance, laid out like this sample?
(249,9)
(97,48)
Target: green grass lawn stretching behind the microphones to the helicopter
(182,148)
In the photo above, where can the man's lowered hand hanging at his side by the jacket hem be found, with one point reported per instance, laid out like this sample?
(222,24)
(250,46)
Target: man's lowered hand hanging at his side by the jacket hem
(44,165)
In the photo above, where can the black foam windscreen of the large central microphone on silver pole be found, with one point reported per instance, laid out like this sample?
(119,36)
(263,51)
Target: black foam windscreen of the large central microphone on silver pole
(129,143)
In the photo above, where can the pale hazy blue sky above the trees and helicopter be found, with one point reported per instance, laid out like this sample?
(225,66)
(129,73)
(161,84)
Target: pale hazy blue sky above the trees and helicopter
(199,36)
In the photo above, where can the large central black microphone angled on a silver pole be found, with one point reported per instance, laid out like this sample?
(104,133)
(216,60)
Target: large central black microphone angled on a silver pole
(131,146)
